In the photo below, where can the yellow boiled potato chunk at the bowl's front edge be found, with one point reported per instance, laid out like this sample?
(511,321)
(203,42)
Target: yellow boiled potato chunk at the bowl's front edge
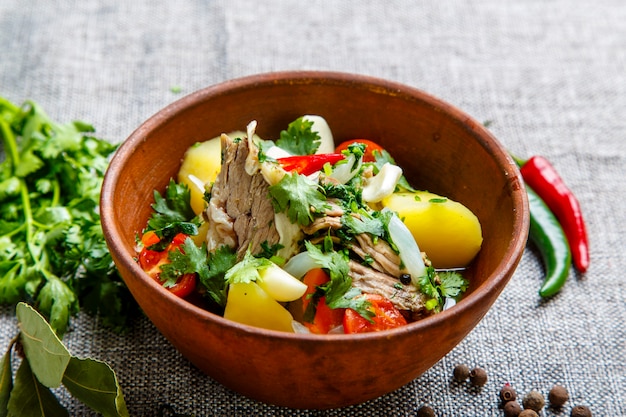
(247,303)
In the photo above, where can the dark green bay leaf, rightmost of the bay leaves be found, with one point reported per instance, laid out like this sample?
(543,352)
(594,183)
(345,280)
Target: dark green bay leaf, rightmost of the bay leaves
(94,383)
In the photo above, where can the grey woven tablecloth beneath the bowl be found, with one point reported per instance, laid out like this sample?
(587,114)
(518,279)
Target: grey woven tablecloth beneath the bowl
(548,76)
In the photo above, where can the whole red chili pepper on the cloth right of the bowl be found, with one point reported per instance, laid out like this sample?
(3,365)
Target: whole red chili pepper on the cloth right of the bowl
(542,177)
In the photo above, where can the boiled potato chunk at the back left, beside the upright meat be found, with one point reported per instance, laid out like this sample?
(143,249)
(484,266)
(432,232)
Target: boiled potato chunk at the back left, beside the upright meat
(201,164)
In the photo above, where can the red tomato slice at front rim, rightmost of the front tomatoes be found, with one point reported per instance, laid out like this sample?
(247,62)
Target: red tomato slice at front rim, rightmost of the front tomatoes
(386,316)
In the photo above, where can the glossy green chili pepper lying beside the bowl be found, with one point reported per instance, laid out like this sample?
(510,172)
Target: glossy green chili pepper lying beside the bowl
(548,235)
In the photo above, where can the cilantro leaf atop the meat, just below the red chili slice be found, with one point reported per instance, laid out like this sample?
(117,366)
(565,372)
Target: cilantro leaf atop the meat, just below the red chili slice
(299,197)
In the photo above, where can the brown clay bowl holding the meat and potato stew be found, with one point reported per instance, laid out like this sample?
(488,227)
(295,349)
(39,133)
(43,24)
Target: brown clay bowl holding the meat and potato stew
(440,149)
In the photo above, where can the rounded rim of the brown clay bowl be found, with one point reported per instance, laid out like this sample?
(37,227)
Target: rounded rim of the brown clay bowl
(495,282)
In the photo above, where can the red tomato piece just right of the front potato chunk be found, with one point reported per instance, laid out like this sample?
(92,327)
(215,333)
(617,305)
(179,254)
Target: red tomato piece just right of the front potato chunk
(326,318)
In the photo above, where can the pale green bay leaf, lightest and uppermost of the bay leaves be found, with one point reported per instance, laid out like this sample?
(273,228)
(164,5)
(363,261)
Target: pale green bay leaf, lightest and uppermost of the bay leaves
(46,354)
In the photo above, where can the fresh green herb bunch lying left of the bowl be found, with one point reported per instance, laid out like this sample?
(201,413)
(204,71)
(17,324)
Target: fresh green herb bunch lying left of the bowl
(52,248)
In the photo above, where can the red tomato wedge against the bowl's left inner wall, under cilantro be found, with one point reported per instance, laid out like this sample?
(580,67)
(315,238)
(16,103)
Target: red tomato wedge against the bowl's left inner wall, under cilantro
(151,261)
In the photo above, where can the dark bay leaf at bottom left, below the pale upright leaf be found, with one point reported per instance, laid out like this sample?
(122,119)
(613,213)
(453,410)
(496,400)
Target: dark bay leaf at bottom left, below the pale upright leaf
(29,398)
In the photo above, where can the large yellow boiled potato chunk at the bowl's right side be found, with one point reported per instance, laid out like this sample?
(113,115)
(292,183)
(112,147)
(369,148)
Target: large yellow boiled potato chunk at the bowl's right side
(446,230)
